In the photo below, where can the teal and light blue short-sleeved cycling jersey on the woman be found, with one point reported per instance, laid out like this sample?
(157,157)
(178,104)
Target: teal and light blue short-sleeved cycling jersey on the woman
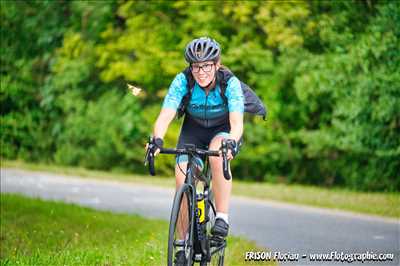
(204,106)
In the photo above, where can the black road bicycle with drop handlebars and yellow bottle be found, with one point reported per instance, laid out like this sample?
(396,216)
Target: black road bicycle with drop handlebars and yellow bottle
(190,226)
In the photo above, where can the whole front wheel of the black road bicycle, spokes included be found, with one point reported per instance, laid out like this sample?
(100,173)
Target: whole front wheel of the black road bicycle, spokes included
(180,238)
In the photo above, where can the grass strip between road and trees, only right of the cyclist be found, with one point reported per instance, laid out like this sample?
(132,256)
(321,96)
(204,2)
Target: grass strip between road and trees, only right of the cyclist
(380,204)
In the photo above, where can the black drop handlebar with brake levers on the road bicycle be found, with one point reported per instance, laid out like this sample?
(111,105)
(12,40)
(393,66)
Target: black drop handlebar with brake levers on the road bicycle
(189,149)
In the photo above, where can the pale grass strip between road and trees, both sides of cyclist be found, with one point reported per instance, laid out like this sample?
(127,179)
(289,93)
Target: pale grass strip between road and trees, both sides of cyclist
(381,204)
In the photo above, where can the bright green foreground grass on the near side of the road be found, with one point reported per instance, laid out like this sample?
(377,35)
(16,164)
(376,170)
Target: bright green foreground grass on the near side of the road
(36,232)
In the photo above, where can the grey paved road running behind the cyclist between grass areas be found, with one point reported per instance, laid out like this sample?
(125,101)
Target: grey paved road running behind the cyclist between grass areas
(281,227)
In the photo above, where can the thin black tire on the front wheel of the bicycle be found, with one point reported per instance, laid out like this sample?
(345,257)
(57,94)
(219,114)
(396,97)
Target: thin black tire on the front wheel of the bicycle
(184,191)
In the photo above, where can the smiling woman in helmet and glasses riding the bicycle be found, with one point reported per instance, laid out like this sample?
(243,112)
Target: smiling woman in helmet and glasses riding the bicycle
(208,120)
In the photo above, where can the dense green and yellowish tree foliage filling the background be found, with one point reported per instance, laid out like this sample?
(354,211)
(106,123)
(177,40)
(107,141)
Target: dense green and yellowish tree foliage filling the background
(329,73)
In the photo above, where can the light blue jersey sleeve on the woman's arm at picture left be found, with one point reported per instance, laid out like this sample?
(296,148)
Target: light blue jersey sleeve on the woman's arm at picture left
(176,91)
